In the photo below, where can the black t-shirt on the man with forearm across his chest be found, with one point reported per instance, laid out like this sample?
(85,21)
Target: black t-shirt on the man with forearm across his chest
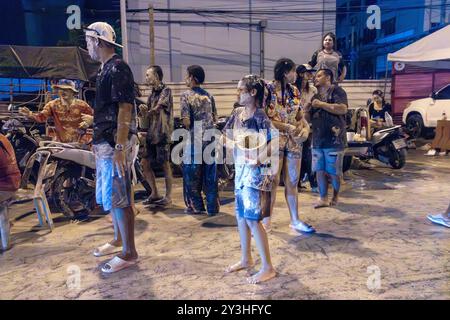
(329,130)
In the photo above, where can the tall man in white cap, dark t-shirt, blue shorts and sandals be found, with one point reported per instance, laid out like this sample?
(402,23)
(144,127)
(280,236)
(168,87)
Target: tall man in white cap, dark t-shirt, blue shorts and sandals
(114,142)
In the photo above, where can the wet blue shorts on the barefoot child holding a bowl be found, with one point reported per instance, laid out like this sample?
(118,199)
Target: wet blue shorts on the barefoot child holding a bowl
(248,203)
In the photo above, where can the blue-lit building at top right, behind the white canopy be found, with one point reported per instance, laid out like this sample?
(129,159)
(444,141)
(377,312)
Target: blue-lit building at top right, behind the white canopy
(402,22)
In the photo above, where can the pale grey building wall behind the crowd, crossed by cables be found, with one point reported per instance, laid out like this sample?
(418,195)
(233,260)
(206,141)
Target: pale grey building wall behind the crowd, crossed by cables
(227,44)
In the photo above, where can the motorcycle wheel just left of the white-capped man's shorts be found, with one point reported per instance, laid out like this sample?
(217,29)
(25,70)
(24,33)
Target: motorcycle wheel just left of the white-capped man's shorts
(66,198)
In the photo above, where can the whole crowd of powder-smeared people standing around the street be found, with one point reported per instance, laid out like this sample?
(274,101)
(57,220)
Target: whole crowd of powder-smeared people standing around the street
(300,114)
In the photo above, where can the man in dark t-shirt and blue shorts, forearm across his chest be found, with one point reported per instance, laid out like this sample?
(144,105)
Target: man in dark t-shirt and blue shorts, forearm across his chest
(327,115)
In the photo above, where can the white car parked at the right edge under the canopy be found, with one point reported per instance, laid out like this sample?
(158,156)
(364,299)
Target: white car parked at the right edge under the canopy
(422,115)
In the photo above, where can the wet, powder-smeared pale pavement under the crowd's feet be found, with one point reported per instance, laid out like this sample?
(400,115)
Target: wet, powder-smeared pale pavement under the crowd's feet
(377,244)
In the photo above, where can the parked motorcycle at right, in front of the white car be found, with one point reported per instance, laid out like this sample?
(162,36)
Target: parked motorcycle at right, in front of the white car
(388,146)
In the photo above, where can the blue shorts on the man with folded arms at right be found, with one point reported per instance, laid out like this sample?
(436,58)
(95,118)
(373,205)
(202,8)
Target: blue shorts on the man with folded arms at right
(328,160)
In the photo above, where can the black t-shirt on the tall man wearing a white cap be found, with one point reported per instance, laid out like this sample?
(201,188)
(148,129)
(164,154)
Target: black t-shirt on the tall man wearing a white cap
(115,84)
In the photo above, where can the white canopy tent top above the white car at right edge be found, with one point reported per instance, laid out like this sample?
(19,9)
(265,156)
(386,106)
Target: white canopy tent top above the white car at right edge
(432,51)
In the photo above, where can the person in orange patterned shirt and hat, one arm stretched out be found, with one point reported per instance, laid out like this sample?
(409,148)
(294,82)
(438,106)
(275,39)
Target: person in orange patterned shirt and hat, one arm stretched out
(67,113)
